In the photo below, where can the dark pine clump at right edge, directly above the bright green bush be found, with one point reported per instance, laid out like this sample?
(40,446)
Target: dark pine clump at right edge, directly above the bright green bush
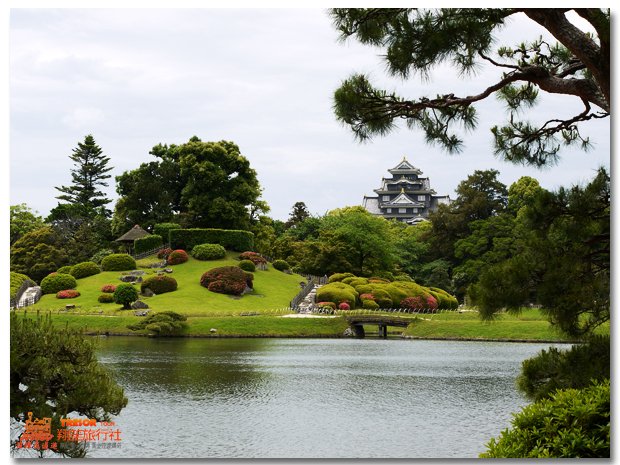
(561,369)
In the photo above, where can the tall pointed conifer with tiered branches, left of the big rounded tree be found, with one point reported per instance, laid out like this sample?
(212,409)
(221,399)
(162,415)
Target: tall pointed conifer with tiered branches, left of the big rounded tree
(88,175)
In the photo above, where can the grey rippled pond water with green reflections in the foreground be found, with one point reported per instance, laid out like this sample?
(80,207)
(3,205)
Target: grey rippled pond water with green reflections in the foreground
(312,398)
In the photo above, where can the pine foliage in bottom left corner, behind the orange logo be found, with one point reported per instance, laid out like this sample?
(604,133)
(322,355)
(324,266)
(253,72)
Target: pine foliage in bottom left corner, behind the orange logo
(60,370)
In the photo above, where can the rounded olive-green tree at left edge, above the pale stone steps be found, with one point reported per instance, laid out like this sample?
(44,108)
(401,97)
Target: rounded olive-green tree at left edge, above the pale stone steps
(38,253)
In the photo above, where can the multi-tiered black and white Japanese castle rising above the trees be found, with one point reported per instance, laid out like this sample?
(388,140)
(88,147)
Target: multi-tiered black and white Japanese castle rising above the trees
(406,196)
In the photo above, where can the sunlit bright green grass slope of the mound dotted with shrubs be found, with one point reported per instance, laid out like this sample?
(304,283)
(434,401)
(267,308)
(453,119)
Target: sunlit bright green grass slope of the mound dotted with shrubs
(273,289)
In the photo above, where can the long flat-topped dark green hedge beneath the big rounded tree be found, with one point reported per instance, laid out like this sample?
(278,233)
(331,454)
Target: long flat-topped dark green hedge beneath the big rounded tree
(228,238)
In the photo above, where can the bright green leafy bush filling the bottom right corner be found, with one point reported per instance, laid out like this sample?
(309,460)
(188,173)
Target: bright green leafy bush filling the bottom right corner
(572,423)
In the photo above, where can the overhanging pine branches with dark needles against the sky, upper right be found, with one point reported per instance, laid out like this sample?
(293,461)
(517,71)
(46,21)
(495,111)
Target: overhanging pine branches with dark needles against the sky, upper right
(577,65)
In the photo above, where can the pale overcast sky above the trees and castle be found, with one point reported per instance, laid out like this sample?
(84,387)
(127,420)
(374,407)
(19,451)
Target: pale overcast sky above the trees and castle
(262,78)
